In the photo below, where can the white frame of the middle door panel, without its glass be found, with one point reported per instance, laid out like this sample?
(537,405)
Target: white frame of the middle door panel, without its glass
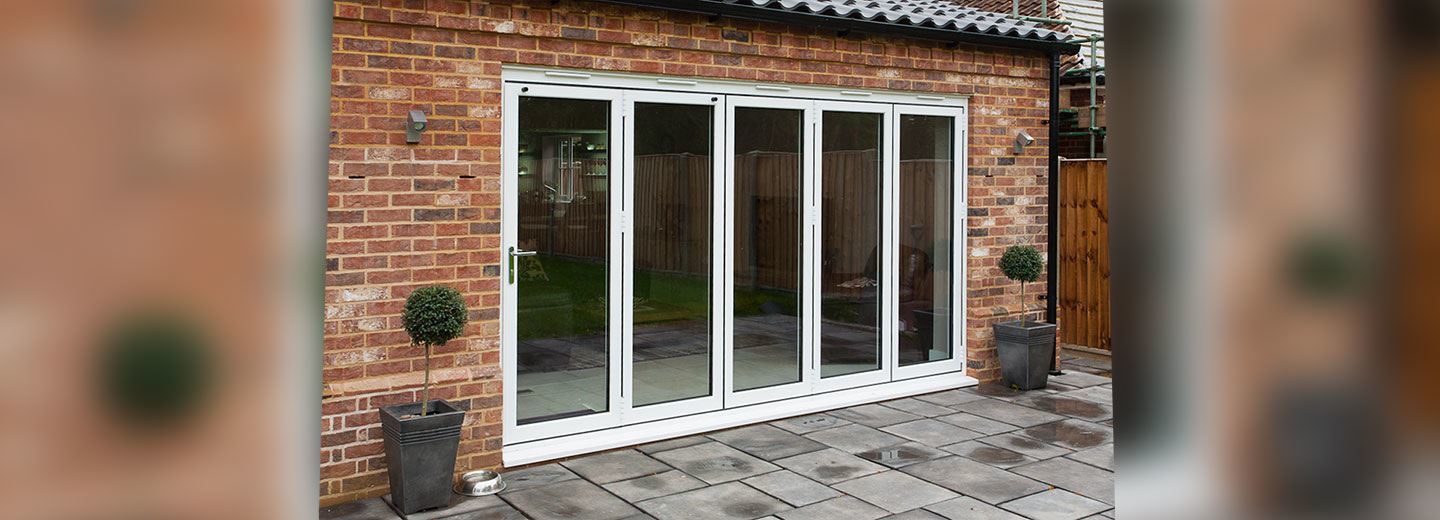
(804,387)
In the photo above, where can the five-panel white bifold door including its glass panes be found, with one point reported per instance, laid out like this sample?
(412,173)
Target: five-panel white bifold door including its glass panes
(673,254)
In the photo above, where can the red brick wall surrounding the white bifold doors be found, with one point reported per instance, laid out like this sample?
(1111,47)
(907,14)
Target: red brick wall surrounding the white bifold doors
(405,217)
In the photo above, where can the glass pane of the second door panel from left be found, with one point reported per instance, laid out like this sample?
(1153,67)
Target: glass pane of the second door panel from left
(672,276)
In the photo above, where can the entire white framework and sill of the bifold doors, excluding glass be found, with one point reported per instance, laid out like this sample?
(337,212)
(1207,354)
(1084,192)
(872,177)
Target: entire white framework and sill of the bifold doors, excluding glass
(623,424)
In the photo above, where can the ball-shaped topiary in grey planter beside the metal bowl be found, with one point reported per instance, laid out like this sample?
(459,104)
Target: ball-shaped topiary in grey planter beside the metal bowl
(421,440)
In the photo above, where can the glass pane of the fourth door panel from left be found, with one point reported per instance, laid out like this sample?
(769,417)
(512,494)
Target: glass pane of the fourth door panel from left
(850,243)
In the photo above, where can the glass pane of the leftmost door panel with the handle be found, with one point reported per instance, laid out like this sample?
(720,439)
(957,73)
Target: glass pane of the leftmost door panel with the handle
(564,207)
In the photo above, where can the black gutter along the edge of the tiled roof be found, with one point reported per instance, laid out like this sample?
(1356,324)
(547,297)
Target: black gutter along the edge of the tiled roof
(853,25)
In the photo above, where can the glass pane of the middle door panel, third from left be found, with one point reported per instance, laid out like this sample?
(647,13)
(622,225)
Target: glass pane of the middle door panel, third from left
(768,169)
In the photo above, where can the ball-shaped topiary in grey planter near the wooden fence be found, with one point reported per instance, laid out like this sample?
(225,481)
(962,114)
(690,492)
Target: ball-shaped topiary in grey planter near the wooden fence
(1026,348)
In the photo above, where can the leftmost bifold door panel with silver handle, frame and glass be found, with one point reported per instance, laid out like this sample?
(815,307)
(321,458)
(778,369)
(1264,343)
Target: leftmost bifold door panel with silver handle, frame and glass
(561,259)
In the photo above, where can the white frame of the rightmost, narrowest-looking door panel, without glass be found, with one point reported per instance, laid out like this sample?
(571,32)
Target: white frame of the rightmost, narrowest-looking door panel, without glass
(958,241)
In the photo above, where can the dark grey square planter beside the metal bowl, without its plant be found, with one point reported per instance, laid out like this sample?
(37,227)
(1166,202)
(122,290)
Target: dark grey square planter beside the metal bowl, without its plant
(420,454)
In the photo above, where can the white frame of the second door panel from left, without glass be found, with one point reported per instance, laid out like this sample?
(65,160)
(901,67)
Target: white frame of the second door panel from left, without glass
(718,225)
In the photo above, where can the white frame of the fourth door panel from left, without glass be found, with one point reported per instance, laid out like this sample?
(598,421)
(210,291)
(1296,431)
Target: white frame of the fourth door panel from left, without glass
(883,369)
